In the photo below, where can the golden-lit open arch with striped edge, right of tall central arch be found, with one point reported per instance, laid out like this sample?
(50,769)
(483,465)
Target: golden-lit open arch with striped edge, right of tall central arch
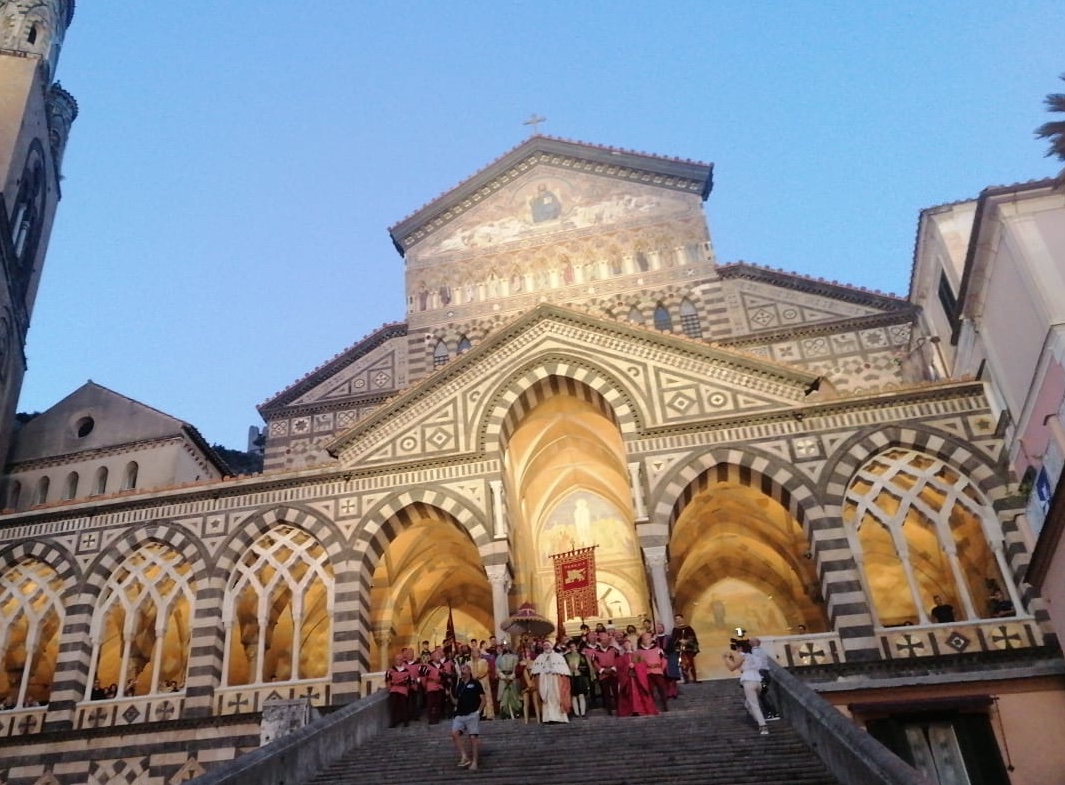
(741,544)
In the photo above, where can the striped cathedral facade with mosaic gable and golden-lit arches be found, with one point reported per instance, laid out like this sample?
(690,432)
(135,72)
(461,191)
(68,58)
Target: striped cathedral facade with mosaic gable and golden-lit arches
(748,448)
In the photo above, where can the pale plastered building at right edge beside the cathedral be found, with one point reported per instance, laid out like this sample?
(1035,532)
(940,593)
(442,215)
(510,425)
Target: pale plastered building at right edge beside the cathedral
(989,274)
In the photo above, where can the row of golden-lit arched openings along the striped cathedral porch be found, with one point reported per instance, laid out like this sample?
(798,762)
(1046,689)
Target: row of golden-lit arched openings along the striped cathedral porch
(917,528)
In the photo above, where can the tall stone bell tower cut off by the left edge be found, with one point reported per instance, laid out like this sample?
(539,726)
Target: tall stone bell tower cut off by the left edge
(36,120)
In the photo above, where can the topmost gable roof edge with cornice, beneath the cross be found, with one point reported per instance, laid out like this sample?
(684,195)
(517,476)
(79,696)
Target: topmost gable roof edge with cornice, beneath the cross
(675,173)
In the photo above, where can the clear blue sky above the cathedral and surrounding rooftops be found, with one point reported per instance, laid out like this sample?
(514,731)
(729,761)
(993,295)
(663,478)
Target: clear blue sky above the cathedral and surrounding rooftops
(236,166)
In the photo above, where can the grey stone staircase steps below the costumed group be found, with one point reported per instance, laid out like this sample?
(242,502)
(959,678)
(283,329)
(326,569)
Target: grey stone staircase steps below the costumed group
(707,739)
